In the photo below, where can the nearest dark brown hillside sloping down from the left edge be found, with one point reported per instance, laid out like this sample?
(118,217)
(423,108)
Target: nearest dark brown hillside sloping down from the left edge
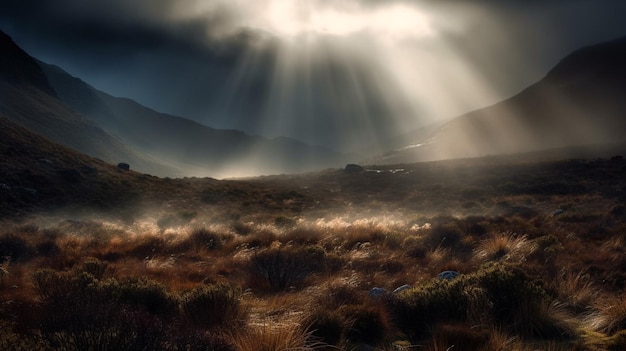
(38,174)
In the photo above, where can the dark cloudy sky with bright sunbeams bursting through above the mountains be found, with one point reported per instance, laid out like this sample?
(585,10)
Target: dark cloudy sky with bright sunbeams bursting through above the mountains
(348,74)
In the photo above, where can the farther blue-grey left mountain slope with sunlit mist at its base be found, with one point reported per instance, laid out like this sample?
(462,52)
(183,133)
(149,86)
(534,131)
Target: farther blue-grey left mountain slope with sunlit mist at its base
(187,145)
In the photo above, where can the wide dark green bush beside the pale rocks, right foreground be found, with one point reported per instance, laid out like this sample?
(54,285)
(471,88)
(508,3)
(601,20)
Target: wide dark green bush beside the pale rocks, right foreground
(498,294)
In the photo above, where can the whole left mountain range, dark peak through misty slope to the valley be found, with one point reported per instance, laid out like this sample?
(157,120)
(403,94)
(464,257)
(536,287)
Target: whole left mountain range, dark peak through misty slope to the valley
(49,101)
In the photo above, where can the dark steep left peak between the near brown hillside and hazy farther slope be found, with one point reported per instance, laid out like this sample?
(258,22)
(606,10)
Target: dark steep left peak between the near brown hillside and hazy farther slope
(27,98)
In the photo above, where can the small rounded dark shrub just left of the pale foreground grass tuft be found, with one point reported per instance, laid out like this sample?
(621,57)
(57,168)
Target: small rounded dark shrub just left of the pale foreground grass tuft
(213,306)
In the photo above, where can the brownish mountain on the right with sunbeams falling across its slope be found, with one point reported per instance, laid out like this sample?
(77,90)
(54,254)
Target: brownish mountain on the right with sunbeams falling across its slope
(581,101)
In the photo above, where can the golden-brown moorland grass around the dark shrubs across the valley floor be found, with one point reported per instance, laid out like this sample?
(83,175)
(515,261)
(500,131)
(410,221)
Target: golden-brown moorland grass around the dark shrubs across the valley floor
(577,259)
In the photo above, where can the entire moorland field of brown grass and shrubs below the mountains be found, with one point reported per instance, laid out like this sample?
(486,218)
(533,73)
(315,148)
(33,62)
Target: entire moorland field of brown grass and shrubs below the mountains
(311,261)
